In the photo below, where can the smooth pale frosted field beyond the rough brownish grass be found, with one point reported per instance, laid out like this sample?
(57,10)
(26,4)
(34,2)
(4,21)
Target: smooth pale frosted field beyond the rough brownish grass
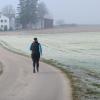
(76,49)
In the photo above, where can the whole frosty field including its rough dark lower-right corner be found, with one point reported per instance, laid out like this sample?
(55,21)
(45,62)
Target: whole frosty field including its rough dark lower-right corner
(79,51)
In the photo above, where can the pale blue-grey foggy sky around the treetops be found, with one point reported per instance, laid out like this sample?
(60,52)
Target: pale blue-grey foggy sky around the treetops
(70,11)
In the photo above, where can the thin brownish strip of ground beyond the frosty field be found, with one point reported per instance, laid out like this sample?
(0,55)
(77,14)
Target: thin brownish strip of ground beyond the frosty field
(55,30)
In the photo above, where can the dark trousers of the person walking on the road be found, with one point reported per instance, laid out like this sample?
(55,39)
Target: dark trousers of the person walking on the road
(35,59)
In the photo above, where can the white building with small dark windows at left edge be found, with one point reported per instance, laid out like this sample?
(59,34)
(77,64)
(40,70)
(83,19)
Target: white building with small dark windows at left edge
(4,23)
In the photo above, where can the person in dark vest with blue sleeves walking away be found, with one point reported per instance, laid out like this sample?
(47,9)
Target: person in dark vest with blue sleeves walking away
(36,53)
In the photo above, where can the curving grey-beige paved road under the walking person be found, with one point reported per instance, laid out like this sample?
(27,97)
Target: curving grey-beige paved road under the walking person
(19,83)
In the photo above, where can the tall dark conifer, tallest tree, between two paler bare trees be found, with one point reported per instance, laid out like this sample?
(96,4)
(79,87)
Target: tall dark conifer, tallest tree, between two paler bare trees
(27,10)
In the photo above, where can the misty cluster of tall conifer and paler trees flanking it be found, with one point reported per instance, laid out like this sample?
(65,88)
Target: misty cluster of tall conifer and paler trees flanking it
(28,12)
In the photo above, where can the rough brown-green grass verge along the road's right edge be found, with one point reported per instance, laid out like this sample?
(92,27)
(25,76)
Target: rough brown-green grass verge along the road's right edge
(82,89)
